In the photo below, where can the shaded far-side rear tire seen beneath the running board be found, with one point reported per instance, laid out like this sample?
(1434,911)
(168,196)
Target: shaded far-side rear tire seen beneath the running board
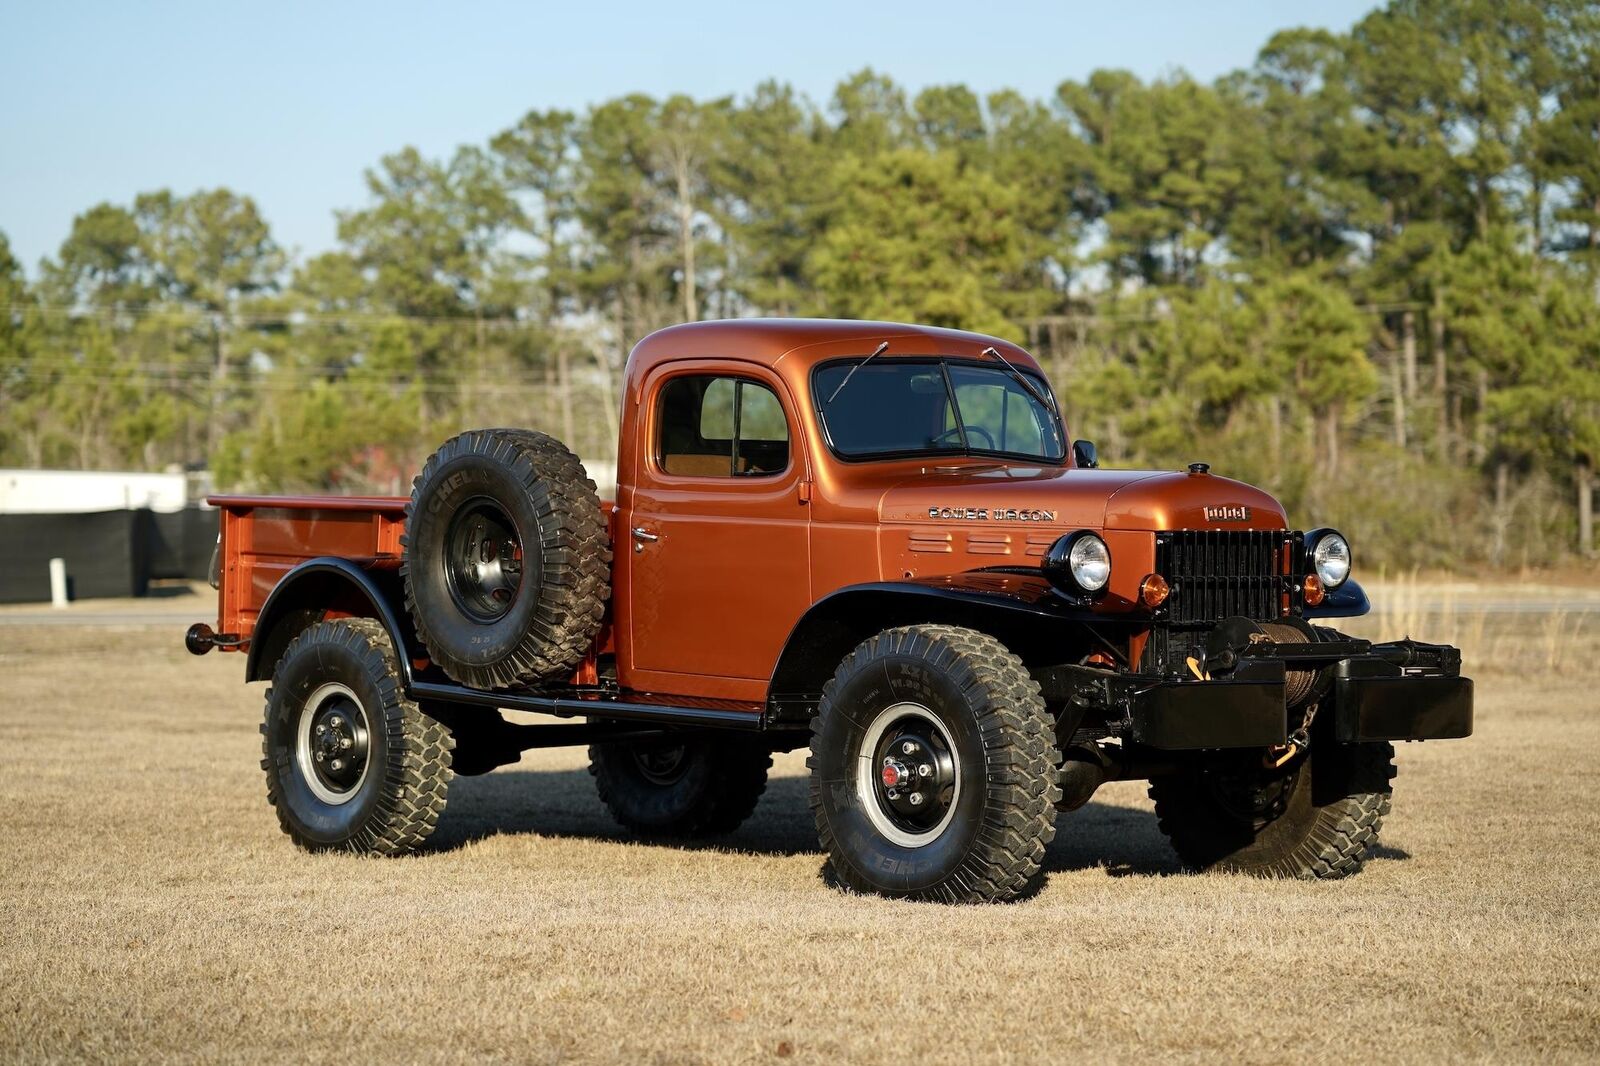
(710,793)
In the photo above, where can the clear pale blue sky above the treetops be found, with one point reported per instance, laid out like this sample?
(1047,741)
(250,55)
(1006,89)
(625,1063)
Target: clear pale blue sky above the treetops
(290,102)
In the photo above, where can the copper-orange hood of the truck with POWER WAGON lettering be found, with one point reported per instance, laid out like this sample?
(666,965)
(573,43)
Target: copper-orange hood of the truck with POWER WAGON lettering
(1078,499)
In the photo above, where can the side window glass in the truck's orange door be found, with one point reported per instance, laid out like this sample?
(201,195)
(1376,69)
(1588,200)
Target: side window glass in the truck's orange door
(722,428)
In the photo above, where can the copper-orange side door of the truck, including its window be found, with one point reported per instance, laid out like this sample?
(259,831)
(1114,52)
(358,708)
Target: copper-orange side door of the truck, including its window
(718,539)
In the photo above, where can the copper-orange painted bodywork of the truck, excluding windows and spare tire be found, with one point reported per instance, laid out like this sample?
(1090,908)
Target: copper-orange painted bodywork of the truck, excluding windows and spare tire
(706,607)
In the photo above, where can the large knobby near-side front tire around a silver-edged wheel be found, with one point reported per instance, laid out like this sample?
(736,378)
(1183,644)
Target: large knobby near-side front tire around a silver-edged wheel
(994,718)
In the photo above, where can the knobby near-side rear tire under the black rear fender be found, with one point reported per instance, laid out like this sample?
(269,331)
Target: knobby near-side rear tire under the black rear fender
(404,790)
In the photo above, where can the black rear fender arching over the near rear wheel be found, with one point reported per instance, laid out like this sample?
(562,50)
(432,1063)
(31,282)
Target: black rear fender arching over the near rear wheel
(329,588)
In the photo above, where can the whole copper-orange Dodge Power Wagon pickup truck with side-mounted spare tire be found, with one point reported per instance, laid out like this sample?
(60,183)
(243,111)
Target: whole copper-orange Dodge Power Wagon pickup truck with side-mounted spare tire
(866,539)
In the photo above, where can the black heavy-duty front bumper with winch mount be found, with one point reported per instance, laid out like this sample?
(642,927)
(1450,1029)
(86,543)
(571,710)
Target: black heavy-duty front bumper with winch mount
(1369,692)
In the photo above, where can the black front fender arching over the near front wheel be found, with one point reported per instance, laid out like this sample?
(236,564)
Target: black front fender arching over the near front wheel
(1018,609)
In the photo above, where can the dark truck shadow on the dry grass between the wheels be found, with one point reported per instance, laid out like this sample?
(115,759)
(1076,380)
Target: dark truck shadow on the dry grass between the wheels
(564,804)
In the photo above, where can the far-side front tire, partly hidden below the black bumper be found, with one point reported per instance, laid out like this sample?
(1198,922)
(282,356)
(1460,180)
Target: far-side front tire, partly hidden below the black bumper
(1334,812)
